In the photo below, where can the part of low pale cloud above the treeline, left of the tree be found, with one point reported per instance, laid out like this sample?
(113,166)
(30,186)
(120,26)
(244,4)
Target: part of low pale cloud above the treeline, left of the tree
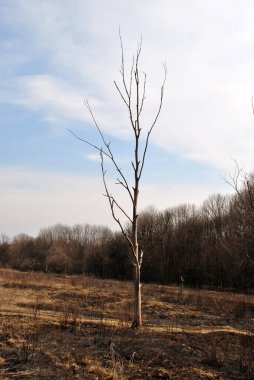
(32,199)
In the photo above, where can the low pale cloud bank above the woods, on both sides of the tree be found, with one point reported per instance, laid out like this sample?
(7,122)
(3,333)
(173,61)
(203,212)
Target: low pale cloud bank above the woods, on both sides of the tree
(33,199)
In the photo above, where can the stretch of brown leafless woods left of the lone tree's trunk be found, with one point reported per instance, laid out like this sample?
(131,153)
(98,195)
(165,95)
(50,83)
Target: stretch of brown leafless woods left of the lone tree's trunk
(81,249)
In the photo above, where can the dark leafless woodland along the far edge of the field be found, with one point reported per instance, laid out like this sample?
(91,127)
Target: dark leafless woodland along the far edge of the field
(211,246)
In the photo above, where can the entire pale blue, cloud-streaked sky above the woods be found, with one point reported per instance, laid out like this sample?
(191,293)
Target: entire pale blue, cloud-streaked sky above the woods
(56,53)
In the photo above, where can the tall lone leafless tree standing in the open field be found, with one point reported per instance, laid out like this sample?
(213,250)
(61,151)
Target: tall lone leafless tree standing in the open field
(133,93)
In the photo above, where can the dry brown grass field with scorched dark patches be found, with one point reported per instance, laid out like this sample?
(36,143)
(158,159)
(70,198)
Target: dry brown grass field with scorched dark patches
(73,327)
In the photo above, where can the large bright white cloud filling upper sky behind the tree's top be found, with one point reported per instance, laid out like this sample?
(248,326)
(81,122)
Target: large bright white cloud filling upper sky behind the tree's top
(207,45)
